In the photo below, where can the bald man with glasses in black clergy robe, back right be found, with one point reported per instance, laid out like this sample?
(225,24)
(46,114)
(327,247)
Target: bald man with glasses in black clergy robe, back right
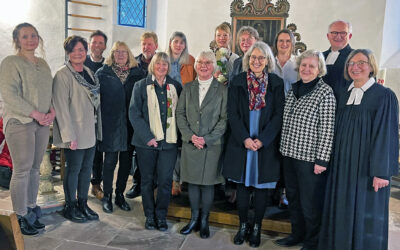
(339,35)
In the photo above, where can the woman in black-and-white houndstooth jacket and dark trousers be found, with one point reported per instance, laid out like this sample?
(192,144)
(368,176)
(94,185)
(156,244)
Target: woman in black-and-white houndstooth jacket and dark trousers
(306,145)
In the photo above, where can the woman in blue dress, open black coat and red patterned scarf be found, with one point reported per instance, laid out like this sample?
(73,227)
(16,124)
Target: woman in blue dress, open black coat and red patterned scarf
(252,159)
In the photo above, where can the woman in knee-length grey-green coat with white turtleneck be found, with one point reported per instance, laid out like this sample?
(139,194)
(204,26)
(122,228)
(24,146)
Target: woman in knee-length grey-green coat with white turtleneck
(202,120)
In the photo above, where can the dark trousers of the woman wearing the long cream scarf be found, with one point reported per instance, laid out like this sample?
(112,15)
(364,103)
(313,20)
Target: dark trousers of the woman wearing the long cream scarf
(155,163)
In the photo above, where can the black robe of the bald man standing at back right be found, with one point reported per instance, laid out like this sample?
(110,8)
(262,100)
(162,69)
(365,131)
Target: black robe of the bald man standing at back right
(335,74)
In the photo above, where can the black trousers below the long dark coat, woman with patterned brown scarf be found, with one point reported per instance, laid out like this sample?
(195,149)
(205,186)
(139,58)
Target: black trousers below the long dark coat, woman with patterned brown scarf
(110,162)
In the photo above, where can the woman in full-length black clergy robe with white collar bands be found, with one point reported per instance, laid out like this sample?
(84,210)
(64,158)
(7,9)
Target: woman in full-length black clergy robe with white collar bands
(365,157)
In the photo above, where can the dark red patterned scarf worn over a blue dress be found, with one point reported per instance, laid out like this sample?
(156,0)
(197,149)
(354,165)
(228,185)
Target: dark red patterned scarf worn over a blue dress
(257,87)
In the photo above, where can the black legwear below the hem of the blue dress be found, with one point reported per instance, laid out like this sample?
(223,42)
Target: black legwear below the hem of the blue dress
(262,198)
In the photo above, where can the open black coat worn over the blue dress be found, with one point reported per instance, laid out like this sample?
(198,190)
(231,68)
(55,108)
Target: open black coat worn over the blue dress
(269,158)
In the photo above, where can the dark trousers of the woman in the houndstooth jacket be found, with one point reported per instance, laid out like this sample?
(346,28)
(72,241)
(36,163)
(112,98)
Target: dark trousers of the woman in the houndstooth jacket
(305,192)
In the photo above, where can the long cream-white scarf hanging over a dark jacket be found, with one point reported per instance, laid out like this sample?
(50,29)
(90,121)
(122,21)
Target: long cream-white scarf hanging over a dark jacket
(154,113)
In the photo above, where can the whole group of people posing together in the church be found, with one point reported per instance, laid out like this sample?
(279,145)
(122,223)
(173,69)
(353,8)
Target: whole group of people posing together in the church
(316,124)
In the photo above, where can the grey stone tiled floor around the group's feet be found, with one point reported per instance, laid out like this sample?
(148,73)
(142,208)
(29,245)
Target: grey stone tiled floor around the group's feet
(124,230)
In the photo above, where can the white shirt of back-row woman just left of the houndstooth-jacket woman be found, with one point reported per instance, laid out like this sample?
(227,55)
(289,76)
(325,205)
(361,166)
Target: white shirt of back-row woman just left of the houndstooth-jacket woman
(288,72)
